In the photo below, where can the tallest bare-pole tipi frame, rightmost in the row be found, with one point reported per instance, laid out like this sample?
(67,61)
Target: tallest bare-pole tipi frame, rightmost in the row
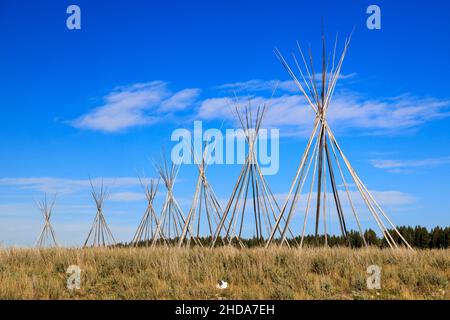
(324,151)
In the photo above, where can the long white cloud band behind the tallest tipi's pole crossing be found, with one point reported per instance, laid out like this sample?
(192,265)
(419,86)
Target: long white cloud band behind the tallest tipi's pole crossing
(292,115)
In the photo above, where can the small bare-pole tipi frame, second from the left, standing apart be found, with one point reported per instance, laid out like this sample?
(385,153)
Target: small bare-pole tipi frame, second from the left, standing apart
(99,235)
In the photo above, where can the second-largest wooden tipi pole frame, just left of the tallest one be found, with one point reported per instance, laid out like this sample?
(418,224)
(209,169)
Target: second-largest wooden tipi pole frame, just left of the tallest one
(251,186)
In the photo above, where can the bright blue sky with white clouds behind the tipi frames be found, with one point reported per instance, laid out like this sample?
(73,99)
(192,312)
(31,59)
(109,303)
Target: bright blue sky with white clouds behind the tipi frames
(103,100)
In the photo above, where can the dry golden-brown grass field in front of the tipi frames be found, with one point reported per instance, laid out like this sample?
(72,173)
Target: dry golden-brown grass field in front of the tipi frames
(161,273)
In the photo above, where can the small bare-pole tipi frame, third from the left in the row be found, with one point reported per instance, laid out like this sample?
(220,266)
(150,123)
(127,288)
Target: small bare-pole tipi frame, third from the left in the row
(146,230)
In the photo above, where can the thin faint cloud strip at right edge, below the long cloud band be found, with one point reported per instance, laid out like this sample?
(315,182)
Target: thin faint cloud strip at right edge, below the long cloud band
(397,166)
